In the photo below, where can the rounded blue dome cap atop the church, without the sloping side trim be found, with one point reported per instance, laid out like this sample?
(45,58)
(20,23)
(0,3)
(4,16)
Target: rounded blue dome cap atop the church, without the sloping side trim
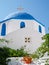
(21,16)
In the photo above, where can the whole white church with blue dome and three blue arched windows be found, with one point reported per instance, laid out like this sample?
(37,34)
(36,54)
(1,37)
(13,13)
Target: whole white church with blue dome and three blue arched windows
(22,29)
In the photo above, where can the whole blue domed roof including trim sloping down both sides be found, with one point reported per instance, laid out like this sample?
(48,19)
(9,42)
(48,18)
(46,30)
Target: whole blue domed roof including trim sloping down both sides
(22,16)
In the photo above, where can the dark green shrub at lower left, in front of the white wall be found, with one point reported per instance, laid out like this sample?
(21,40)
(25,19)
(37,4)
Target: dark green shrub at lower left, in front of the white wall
(8,52)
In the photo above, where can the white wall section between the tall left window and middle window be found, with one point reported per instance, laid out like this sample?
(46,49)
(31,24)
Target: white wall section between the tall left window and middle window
(13,25)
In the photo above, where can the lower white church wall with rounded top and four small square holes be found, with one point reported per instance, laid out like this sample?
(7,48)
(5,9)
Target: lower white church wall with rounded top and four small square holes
(17,39)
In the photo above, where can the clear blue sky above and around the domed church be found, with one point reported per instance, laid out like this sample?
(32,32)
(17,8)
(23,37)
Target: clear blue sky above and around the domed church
(39,9)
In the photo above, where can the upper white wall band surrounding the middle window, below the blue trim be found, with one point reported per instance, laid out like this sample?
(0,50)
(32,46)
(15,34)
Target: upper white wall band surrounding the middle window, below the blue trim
(13,25)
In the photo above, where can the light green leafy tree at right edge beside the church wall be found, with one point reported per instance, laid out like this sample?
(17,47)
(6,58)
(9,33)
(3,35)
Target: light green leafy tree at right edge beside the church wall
(46,43)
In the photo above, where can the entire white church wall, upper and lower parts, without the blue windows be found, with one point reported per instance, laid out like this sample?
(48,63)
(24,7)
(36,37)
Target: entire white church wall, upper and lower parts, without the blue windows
(17,35)
